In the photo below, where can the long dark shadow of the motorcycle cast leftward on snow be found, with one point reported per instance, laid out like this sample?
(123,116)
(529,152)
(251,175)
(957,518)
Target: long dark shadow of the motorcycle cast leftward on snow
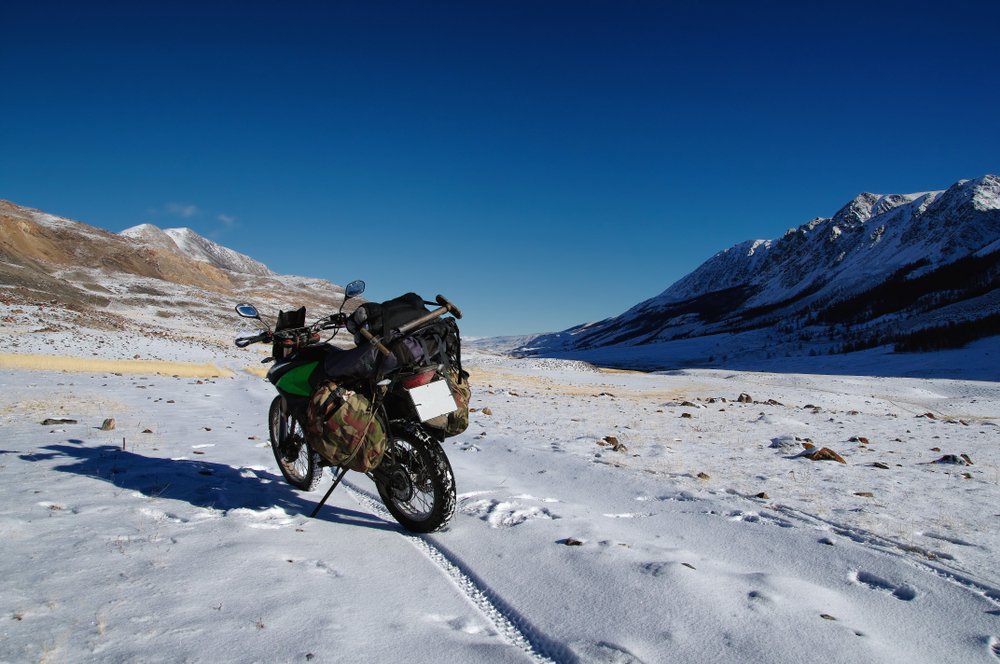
(201,483)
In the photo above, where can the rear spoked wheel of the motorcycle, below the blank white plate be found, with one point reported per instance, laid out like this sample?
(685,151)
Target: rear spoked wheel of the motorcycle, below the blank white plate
(415,481)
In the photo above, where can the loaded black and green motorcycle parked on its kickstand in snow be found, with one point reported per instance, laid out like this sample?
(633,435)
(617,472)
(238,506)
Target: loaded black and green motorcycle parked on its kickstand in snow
(414,477)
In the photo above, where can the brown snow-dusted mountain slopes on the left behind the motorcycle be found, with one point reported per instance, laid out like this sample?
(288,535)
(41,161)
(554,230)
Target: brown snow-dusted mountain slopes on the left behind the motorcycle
(144,279)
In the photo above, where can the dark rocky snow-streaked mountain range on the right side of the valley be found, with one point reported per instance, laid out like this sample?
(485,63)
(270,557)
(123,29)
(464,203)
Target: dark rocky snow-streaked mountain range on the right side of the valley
(884,269)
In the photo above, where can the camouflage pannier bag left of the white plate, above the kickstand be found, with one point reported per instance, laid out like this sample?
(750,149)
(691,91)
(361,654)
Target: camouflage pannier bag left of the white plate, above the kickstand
(342,427)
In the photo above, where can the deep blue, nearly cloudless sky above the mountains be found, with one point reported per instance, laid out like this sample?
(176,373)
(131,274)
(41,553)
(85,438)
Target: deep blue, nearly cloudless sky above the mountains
(541,163)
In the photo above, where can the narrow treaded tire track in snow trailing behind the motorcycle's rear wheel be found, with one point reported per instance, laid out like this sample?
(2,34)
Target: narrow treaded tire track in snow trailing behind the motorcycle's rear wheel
(507,621)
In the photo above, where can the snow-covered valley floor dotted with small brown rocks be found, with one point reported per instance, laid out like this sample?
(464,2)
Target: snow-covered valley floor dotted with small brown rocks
(696,533)
